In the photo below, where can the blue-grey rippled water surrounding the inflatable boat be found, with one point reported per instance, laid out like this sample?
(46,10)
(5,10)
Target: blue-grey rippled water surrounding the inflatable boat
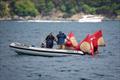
(104,66)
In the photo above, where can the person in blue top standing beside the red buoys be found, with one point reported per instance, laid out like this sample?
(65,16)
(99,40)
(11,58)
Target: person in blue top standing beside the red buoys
(61,40)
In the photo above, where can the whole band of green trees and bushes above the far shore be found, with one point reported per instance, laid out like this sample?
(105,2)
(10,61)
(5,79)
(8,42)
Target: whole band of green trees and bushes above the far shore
(69,7)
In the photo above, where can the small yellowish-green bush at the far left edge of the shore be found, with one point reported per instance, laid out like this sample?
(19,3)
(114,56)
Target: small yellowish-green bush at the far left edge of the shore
(4,9)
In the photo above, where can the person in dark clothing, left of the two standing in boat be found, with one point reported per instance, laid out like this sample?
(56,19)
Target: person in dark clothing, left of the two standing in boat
(50,40)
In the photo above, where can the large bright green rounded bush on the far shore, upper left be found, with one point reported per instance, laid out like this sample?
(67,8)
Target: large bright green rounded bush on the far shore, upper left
(25,8)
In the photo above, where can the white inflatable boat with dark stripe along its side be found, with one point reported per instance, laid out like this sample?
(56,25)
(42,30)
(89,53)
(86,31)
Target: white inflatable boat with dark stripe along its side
(38,51)
